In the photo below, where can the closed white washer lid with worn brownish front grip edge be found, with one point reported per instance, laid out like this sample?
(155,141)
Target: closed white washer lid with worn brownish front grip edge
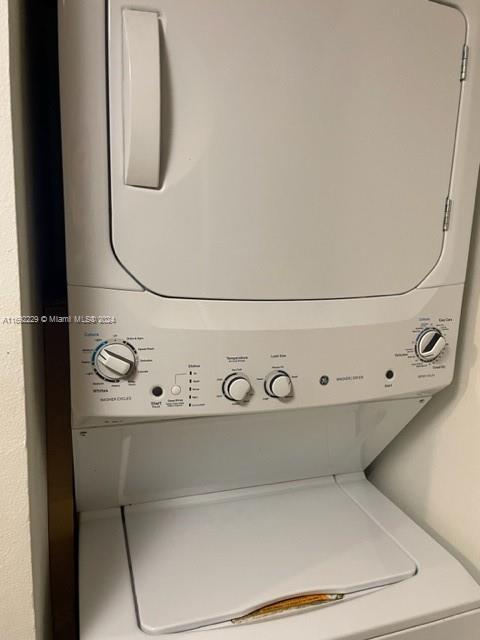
(208,559)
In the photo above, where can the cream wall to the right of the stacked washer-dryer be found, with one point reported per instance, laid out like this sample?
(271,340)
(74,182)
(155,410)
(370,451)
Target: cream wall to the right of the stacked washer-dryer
(432,469)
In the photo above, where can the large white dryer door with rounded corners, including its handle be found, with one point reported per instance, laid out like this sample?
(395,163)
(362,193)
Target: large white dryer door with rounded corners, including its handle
(304,150)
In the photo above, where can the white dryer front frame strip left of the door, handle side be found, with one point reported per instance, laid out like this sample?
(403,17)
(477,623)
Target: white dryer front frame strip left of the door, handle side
(83,103)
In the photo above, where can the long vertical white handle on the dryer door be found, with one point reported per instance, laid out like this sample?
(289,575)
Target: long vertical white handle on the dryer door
(141,98)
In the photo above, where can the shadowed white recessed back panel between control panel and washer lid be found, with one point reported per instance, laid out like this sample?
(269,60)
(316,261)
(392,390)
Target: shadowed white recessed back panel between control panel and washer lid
(136,463)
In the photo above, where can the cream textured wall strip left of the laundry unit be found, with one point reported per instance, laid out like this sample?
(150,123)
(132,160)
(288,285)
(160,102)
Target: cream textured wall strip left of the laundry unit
(23,508)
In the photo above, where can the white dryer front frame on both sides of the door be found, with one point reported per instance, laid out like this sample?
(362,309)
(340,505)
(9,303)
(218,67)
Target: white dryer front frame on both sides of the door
(92,262)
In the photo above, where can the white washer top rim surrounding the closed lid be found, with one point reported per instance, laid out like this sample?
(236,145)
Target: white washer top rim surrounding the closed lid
(107,609)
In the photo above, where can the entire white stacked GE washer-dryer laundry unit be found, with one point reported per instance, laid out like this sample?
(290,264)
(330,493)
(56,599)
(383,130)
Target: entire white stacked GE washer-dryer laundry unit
(268,214)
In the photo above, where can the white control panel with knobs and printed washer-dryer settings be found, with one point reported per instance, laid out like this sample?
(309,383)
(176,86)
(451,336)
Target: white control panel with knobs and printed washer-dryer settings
(133,369)
